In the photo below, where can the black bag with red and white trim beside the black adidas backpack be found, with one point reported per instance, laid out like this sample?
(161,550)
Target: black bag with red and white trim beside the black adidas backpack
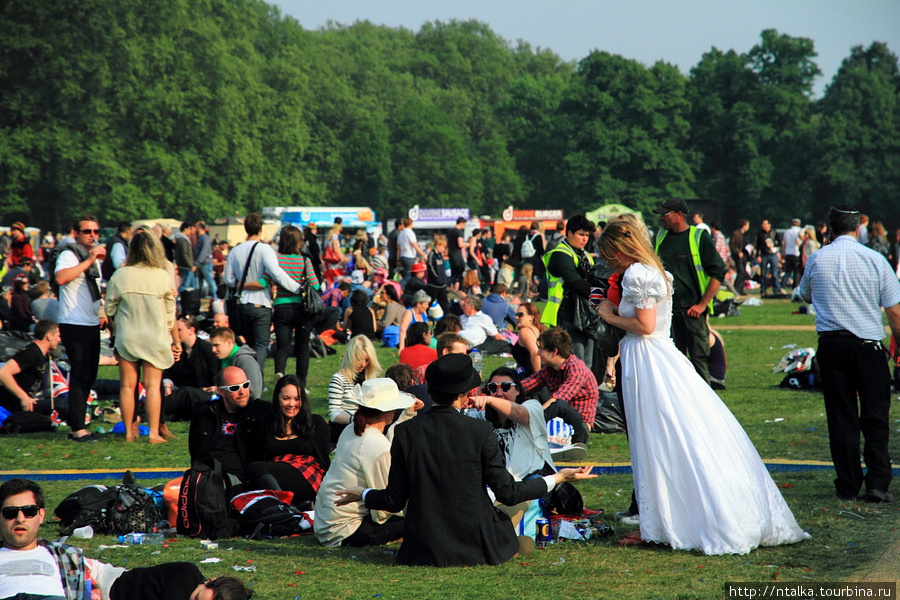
(262,515)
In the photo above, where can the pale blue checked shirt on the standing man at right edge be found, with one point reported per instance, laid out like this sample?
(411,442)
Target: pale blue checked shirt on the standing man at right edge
(849,284)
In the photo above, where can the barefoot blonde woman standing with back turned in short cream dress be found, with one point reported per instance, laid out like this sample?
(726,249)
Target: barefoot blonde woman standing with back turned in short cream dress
(140,299)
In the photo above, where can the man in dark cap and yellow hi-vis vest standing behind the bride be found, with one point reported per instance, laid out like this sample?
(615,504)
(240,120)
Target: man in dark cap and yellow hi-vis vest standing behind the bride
(689,254)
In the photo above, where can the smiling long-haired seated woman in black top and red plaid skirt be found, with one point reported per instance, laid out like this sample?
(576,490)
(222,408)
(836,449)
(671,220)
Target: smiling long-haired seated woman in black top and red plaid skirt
(290,450)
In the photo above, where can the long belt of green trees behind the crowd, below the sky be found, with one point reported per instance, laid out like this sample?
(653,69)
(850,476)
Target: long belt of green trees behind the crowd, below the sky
(206,108)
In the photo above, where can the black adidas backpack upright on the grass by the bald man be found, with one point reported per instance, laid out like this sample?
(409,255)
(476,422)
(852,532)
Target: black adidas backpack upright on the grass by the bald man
(203,502)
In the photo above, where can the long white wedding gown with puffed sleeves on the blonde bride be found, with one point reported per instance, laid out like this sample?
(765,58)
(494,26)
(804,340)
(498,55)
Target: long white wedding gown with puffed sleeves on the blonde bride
(700,482)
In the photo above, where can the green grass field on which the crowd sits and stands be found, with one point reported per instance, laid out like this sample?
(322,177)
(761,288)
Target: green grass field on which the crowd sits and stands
(846,536)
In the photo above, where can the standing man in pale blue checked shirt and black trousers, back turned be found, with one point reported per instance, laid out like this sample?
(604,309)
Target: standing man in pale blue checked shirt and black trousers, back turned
(849,285)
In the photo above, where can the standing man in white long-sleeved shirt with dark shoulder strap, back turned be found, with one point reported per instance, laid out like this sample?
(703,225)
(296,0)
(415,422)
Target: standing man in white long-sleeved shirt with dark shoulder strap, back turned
(255,321)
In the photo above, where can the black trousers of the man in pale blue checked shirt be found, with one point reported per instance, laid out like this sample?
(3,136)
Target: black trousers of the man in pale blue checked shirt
(852,368)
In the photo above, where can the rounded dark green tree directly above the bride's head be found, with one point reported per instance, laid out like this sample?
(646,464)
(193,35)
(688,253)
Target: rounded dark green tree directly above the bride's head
(627,131)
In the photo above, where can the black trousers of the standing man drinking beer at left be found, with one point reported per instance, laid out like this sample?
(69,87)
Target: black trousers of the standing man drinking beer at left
(82,344)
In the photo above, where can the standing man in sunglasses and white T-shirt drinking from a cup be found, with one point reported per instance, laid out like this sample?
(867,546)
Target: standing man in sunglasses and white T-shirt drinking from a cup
(77,271)
